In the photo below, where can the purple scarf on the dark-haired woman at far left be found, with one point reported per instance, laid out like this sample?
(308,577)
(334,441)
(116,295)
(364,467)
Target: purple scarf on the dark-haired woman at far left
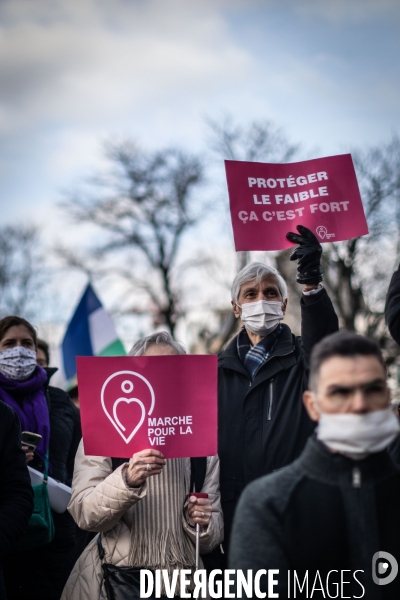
(28,400)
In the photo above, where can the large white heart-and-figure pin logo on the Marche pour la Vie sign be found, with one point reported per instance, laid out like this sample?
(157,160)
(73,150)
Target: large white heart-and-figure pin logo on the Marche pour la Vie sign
(126,381)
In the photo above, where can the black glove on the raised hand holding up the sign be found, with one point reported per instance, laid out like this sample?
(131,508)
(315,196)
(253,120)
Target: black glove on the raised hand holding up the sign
(308,253)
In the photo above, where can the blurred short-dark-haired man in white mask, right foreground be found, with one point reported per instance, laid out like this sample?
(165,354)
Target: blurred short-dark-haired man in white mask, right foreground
(322,520)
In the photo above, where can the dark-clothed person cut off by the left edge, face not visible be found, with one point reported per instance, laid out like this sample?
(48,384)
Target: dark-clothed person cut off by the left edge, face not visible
(16,495)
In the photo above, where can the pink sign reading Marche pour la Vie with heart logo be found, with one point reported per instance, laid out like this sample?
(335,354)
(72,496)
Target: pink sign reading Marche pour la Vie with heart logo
(131,403)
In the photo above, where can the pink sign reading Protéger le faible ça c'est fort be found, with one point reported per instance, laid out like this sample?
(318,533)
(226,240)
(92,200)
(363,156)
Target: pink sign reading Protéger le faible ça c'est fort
(267,200)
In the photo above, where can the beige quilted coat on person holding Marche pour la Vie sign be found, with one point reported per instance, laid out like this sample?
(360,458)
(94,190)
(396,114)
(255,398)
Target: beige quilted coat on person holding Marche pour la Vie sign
(102,501)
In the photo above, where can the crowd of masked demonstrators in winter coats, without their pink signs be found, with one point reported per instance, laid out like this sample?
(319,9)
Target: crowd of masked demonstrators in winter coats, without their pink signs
(306,481)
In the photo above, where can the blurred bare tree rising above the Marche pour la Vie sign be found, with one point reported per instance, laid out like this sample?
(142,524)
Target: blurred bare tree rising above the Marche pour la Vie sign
(143,206)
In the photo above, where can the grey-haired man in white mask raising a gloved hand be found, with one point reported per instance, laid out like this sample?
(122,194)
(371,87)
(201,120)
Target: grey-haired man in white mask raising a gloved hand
(263,372)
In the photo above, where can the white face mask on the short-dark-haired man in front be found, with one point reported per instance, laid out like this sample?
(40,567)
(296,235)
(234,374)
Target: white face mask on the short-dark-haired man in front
(356,435)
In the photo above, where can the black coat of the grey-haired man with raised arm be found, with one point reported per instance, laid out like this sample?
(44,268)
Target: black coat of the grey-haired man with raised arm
(263,425)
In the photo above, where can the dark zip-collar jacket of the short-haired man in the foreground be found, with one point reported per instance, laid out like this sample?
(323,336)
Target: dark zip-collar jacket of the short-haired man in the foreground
(323,513)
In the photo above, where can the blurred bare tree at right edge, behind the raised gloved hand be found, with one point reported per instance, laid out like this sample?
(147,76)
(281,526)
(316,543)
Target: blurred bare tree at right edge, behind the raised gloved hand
(357,272)
